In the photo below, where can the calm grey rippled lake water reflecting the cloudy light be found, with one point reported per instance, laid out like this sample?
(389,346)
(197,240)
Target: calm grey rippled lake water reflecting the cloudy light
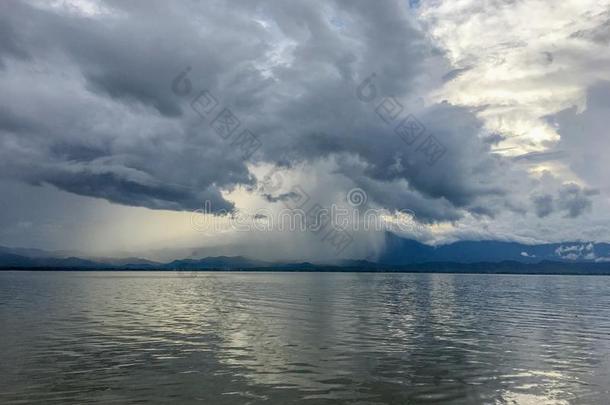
(75,337)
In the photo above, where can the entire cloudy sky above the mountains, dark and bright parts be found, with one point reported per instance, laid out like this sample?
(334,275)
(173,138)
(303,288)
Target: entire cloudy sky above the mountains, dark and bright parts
(164,129)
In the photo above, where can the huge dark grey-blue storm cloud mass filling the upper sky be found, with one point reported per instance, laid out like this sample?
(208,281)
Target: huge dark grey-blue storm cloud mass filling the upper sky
(97,115)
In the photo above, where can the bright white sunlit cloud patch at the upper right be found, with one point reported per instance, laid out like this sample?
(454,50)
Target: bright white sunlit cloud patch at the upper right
(523,60)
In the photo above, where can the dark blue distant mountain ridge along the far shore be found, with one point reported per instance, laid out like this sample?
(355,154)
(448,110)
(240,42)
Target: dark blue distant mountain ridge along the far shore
(399,252)
